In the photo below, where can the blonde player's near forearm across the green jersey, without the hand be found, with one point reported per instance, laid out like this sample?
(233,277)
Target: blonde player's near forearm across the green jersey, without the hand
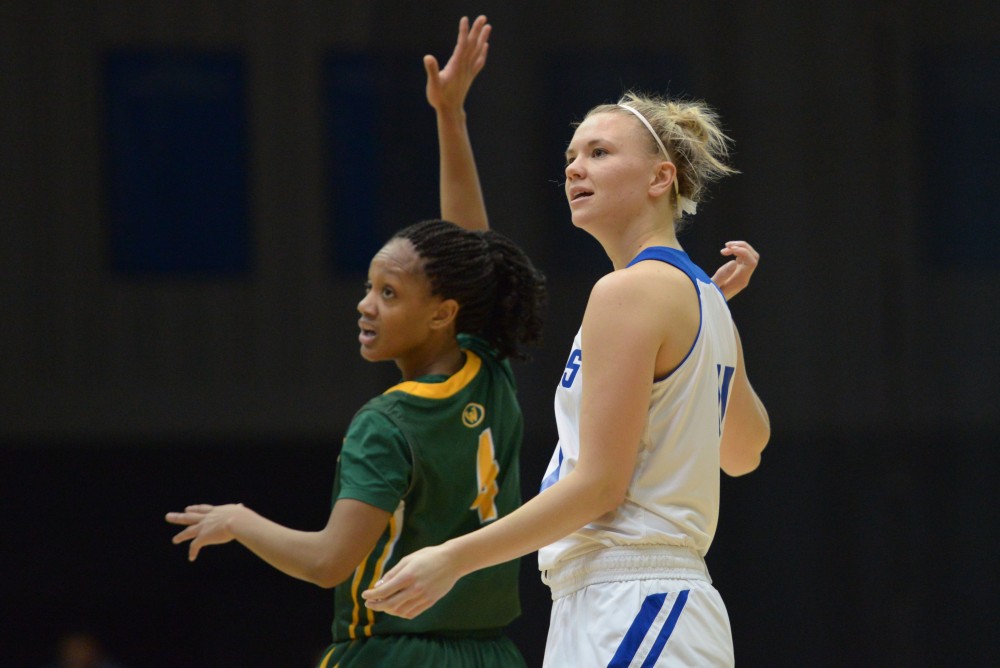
(554,514)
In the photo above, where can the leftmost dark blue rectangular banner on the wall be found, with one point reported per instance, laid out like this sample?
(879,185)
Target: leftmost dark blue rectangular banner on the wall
(177,163)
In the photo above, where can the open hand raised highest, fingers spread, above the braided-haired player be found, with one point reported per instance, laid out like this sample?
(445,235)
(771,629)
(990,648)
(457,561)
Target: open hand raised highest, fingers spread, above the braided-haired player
(447,88)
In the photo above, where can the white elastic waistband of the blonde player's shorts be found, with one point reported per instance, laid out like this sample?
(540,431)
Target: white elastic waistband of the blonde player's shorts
(625,563)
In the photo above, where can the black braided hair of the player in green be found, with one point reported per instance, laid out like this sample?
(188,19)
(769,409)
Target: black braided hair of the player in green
(501,296)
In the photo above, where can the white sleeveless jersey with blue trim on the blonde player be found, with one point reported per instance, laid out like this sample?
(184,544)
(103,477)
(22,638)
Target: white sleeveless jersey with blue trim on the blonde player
(673,498)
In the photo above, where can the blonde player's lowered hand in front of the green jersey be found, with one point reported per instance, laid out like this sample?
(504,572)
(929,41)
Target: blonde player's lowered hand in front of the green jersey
(416,583)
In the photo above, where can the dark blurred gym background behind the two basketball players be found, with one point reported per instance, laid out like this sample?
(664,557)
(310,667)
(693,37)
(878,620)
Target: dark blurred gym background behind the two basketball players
(131,383)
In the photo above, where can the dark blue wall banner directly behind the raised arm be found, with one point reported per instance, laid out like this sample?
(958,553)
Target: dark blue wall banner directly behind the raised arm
(382,152)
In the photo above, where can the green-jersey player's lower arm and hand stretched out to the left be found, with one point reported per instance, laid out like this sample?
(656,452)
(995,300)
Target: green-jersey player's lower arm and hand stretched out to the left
(325,558)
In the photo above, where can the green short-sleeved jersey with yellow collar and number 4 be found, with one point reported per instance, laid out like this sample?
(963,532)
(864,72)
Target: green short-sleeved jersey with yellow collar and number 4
(441,455)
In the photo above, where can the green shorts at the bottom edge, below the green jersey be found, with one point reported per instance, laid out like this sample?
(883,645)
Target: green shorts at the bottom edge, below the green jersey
(404,651)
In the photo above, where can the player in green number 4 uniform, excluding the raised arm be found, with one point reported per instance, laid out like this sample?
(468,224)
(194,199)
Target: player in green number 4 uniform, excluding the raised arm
(432,458)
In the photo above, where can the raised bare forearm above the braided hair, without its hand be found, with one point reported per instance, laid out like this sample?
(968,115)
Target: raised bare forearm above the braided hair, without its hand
(461,194)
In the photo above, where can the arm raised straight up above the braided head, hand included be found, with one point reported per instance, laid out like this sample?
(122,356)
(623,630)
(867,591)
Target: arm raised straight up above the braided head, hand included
(461,194)
